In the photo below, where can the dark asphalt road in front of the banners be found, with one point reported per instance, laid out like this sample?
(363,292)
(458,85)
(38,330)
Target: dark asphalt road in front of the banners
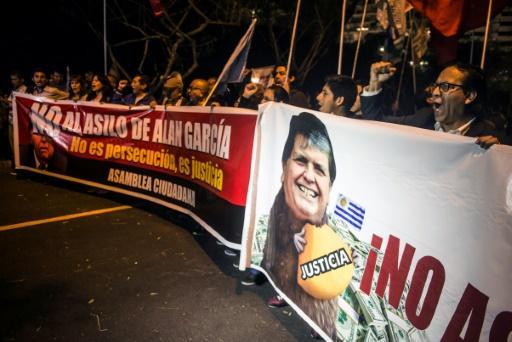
(143,273)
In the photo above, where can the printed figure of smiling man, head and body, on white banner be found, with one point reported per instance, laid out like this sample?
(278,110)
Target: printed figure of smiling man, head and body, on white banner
(308,172)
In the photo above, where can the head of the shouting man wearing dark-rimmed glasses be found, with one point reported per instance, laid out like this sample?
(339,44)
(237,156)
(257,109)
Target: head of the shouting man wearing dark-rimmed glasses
(458,94)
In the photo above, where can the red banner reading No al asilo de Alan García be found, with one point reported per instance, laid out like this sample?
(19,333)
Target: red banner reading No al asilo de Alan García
(150,150)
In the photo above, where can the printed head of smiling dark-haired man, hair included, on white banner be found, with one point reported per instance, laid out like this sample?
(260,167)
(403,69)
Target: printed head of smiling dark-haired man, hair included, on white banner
(308,168)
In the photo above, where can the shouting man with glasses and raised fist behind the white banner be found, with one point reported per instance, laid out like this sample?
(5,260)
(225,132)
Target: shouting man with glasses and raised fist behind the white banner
(457,97)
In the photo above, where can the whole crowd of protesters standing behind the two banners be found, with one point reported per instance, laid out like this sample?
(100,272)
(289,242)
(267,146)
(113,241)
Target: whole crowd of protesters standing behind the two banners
(455,103)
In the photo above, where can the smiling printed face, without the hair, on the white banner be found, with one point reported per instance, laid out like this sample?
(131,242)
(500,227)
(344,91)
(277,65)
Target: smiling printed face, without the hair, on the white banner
(306,181)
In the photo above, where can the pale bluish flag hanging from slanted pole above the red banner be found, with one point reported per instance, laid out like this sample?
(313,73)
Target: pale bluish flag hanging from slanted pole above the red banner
(233,71)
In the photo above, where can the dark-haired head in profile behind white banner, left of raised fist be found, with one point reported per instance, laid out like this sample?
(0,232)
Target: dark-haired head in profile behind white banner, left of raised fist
(338,95)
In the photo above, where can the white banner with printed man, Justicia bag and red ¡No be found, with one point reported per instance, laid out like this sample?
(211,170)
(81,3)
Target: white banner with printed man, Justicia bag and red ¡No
(411,230)
